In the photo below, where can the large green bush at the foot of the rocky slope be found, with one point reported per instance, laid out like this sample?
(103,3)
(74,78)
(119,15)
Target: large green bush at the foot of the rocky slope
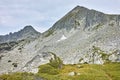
(53,67)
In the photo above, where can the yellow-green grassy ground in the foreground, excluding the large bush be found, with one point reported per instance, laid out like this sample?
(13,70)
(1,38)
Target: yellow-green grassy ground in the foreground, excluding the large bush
(110,71)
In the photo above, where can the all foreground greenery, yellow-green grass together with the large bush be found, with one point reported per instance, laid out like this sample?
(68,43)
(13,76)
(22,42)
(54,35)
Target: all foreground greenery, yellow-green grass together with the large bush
(55,70)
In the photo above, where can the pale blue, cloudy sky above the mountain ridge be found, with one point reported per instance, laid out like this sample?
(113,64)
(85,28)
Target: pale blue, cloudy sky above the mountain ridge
(42,14)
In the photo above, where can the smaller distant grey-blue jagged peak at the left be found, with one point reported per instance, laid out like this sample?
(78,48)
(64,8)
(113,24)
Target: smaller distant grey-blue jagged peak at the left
(27,33)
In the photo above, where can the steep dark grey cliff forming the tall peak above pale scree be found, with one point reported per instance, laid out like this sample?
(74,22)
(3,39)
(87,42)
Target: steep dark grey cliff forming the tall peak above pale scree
(81,17)
